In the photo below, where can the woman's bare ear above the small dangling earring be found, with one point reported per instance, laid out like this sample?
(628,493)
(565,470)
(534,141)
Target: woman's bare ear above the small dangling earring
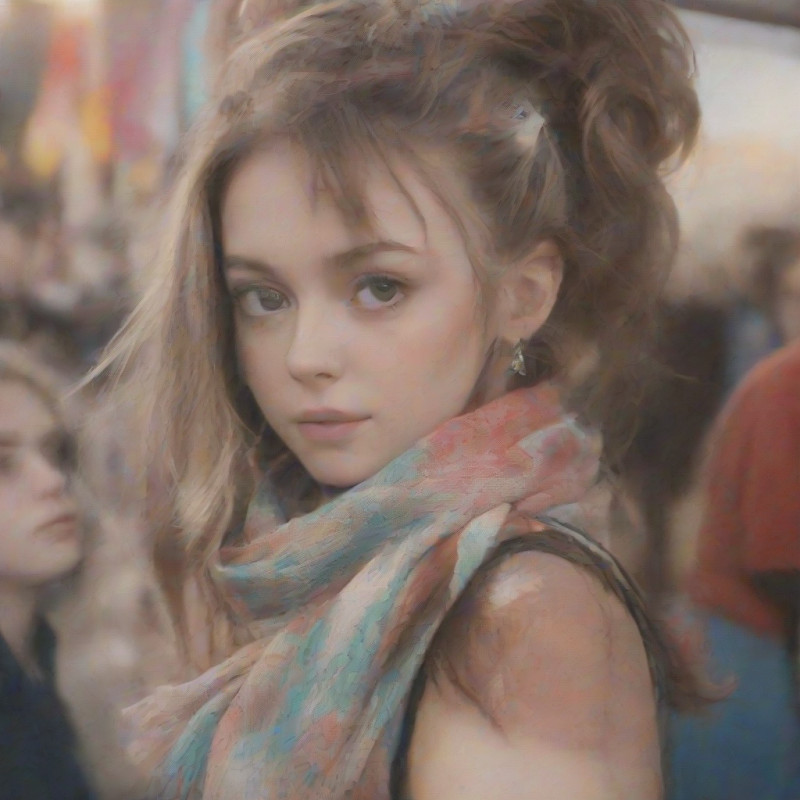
(528,291)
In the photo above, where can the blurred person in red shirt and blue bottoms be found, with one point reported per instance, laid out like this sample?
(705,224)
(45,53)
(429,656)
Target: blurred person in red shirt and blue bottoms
(746,584)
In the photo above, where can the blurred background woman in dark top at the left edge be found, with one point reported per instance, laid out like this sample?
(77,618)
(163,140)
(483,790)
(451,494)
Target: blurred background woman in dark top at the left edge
(40,543)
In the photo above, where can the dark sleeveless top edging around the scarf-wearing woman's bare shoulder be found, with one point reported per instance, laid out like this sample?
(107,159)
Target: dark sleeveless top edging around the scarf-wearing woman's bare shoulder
(568,542)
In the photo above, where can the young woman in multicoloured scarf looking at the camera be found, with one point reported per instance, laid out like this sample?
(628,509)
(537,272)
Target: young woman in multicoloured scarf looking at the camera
(397,228)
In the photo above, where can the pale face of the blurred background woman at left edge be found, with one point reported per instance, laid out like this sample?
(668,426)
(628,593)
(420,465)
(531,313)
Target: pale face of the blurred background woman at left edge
(39,534)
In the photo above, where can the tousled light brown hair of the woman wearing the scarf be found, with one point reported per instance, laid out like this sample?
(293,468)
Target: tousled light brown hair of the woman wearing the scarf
(447,87)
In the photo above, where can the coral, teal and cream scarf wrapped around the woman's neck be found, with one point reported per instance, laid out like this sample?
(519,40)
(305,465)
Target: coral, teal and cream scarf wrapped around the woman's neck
(345,602)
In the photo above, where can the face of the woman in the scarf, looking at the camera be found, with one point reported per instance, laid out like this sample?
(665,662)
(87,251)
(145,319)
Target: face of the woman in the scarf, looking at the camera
(354,346)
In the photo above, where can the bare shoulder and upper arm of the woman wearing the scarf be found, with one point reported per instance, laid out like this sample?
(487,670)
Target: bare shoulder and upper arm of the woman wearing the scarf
(561,703)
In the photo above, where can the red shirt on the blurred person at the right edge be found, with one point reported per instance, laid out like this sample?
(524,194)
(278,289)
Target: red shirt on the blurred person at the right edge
(749,545)
